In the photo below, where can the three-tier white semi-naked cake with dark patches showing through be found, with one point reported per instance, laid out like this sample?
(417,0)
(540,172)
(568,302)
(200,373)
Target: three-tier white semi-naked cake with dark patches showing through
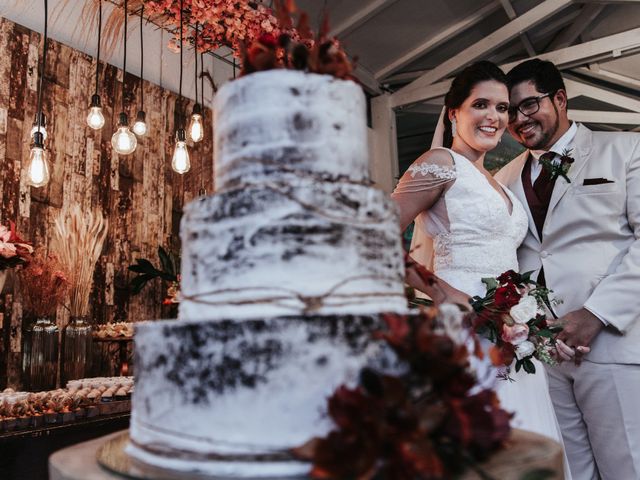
(285,272)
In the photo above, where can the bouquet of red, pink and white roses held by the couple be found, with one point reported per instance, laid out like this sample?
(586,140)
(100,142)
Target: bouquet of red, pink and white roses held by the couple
(513,315)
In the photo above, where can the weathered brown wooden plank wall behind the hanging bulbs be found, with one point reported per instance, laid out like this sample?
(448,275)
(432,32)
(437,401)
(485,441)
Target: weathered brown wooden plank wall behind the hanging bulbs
(140,194)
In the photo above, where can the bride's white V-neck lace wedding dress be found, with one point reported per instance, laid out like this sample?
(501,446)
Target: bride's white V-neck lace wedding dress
(470,234)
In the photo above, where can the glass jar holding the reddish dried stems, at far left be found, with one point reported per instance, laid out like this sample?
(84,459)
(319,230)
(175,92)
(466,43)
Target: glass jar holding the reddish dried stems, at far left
(40,355)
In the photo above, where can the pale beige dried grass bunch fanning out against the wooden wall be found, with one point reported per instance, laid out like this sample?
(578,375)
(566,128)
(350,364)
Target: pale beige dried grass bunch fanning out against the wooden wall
(78,242)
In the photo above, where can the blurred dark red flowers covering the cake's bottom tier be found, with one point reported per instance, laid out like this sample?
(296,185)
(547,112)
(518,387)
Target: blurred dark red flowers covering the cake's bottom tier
(423,423)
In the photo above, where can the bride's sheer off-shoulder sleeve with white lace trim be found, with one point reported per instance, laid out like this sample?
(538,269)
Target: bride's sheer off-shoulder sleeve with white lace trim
(427,173)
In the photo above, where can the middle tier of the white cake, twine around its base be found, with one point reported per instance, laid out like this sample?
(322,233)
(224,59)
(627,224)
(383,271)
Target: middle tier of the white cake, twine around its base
(277,249)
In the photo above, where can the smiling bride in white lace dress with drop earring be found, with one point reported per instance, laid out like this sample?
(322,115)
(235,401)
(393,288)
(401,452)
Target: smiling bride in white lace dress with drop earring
(468,226)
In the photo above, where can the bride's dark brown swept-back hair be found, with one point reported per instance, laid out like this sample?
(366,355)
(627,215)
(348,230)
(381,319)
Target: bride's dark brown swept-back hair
(461,89)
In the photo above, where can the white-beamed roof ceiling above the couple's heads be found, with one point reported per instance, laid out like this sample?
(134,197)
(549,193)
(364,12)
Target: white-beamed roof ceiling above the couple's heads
(412,48)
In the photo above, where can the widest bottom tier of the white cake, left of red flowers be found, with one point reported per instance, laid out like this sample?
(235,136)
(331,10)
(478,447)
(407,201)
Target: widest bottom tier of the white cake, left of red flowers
(231,398)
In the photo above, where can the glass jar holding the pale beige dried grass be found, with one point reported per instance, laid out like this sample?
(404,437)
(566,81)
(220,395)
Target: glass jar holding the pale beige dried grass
(77,344)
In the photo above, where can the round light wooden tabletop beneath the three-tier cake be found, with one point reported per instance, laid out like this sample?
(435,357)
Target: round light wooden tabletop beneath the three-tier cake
(527,452)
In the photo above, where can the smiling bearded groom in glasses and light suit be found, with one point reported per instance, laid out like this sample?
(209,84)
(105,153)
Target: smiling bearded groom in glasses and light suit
(582,189)
